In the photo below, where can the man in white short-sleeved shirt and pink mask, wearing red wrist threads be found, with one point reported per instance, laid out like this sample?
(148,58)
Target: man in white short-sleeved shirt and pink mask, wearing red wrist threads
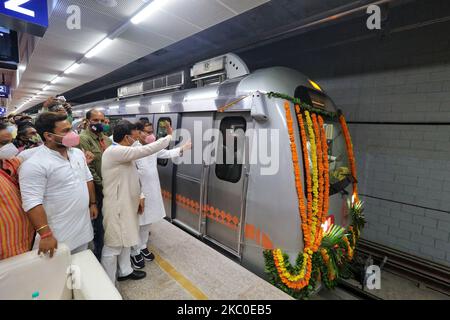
(58,193)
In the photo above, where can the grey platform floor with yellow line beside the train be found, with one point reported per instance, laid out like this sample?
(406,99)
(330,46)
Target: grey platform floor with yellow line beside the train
(187,269)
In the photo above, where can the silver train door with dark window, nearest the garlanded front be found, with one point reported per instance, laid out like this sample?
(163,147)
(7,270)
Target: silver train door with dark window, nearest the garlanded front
(227,183)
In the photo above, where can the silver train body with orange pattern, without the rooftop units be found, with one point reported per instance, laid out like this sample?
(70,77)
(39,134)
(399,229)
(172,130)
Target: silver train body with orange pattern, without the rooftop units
(253,211)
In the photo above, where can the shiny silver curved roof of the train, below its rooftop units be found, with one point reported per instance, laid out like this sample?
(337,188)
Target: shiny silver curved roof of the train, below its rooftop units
(208,98)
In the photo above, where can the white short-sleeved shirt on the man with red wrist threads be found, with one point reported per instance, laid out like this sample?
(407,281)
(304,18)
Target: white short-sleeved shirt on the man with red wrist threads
(60,186)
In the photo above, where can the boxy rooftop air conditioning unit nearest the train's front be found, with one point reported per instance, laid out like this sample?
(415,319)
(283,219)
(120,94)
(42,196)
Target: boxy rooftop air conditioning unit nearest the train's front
(218,69)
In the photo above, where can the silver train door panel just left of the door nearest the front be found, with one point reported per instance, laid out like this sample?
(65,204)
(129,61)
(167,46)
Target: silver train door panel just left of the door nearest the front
(190,177)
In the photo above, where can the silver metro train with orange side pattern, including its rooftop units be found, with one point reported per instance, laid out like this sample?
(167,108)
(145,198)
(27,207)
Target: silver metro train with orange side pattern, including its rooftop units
(243,210)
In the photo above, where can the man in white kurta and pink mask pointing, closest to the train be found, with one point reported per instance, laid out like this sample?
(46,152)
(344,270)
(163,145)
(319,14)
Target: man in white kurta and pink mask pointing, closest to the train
(151,189)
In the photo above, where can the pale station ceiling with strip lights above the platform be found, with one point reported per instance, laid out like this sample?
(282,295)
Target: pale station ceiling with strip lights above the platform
(170,21)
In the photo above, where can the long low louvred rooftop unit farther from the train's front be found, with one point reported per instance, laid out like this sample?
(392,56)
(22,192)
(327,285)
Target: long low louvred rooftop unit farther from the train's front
(157,84)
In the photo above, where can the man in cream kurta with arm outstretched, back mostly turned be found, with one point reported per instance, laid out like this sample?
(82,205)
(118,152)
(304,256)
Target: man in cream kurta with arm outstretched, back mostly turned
(122,195)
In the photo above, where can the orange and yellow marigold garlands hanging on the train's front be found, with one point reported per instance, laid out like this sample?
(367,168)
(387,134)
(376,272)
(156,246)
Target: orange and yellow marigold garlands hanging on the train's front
(317,193)
